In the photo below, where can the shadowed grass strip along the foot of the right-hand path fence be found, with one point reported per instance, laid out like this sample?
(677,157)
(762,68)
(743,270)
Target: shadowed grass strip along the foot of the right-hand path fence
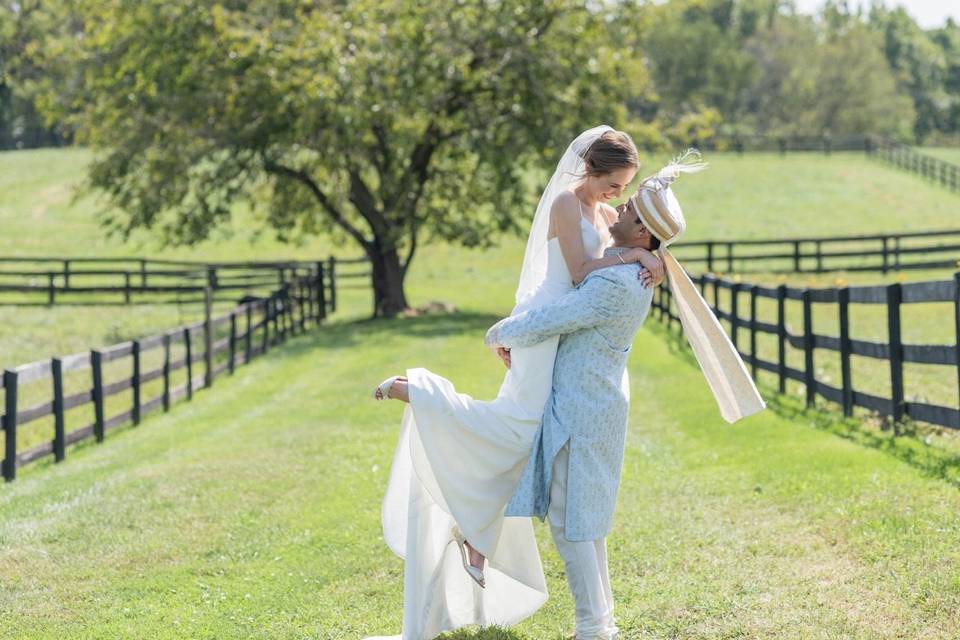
(908,446)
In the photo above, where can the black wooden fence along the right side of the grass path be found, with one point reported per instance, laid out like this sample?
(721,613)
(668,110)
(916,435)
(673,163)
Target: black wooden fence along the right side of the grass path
(745,325)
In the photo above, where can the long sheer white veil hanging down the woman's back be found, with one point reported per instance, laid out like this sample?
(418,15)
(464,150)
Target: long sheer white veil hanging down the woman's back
(569,170)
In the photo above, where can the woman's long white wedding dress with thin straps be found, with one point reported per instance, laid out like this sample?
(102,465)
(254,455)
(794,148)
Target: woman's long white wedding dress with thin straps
(458,460)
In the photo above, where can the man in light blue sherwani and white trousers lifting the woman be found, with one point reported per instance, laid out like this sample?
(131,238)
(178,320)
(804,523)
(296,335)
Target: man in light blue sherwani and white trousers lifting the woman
(573,472)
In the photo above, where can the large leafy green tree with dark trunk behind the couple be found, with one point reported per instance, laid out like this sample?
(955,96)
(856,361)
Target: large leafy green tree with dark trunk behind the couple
(383,122)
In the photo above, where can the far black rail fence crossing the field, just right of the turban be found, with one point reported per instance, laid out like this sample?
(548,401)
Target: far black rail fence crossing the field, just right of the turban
(880,252)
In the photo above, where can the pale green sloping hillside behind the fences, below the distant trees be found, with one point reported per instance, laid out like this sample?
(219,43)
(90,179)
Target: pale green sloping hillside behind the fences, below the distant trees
(756,195)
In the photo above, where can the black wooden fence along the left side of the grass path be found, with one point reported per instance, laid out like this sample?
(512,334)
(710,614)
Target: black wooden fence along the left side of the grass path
(250,329)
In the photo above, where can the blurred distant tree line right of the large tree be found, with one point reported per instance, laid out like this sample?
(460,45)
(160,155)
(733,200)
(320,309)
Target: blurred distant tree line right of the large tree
(746,67)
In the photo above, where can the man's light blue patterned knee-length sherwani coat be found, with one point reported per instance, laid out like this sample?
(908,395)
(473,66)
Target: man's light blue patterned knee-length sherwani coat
(588,405)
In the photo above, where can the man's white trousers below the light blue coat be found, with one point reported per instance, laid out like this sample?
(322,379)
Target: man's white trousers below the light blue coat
(585,562)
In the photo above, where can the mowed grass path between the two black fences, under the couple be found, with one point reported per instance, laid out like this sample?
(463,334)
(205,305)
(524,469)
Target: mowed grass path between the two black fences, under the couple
(253,512)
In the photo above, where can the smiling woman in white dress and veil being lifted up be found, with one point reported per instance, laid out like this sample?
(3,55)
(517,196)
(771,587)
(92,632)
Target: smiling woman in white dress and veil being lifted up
(458,460)
